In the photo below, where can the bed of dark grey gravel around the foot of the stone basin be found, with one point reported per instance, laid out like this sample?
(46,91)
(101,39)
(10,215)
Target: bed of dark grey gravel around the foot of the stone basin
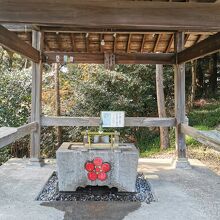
(143,192)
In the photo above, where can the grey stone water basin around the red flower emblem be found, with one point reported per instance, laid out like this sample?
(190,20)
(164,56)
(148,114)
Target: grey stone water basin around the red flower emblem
(72,157)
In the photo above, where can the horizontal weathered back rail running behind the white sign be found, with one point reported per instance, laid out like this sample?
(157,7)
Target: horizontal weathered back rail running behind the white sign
(94,121)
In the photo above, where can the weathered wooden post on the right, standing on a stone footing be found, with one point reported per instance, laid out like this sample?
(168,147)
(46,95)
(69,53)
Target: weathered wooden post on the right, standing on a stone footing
(179,87)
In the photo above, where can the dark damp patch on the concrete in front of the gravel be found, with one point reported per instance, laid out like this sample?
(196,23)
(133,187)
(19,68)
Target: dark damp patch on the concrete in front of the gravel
(94,210)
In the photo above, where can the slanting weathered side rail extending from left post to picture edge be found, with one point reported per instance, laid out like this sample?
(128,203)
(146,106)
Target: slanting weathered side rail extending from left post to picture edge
(11,134)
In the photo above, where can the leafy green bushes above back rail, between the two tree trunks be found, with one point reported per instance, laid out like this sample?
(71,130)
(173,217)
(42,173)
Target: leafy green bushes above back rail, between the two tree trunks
(129,88)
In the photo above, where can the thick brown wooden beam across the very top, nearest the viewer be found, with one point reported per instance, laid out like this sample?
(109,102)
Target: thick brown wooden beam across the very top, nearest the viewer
(111,14)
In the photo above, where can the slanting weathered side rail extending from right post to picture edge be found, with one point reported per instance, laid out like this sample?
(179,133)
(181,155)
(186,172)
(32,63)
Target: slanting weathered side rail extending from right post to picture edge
(209,138)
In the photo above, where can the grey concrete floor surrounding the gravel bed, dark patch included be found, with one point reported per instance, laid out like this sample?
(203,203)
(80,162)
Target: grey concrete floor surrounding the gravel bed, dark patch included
(181,194)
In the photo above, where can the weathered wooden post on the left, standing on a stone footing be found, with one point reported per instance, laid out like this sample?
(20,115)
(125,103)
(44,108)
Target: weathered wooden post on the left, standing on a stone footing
(37,42)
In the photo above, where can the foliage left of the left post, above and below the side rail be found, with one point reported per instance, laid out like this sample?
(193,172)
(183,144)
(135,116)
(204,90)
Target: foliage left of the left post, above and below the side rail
(15,89)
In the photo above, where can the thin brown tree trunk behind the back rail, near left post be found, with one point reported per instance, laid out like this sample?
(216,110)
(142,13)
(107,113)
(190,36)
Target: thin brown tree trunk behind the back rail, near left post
(57,102)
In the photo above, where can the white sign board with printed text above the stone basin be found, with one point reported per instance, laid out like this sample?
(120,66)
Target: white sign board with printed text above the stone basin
(113,119)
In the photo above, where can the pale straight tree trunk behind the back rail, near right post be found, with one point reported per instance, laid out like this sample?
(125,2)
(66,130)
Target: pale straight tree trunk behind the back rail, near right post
(164,133)
